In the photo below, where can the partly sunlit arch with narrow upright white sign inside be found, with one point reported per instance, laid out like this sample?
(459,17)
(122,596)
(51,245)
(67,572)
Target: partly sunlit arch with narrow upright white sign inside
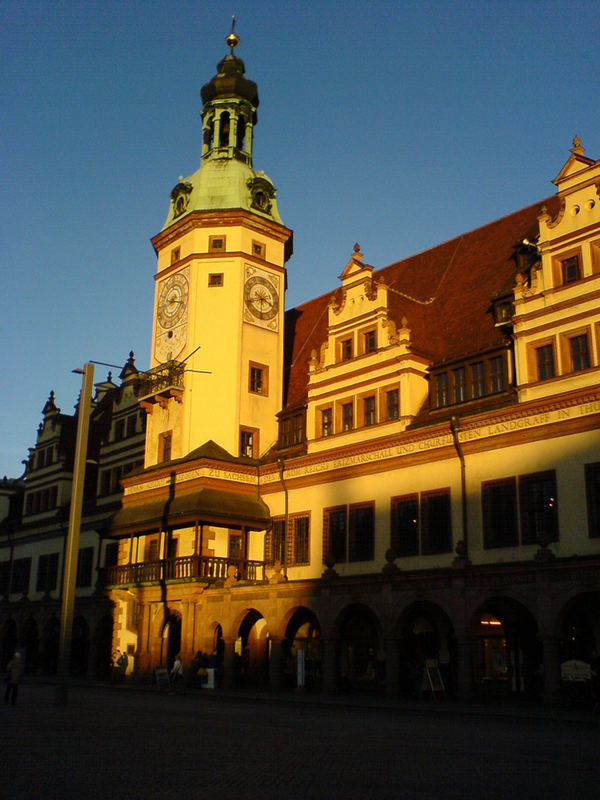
(302,652)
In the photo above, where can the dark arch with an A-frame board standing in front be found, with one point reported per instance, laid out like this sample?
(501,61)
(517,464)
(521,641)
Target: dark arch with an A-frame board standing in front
(426,645)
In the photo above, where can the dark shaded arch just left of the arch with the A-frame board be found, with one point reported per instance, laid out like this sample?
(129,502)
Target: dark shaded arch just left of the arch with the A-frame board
(360,664)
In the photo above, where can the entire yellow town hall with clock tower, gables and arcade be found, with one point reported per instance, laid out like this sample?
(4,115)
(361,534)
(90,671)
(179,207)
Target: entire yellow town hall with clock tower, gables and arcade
(394,487)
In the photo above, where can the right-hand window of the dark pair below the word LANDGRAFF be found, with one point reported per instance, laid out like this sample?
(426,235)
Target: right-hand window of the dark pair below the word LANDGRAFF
(537,496)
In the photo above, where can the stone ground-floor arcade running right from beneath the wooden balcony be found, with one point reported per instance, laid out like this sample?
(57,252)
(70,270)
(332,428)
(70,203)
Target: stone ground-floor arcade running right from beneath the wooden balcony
(269,638)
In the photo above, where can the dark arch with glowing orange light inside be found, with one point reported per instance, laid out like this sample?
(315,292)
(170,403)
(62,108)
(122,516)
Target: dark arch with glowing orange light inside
(506,652)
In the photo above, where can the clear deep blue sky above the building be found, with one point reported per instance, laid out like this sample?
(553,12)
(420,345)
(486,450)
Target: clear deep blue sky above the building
(397,125)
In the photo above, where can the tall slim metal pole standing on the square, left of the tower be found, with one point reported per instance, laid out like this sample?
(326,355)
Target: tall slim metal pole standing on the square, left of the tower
(72,549)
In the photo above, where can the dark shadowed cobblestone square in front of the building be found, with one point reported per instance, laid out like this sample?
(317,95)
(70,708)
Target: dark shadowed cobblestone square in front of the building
(143,745)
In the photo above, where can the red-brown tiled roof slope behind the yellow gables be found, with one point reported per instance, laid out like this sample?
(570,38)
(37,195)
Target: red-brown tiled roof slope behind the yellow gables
(445,293)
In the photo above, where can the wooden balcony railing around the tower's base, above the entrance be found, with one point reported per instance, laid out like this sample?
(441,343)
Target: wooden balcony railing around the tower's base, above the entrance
(178,570)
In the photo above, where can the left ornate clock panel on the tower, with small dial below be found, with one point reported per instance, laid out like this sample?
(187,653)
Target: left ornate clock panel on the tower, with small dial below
(171,316)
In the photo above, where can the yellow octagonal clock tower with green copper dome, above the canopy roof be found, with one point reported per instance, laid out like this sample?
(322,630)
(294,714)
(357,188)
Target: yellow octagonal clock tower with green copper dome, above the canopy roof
(217,341)
